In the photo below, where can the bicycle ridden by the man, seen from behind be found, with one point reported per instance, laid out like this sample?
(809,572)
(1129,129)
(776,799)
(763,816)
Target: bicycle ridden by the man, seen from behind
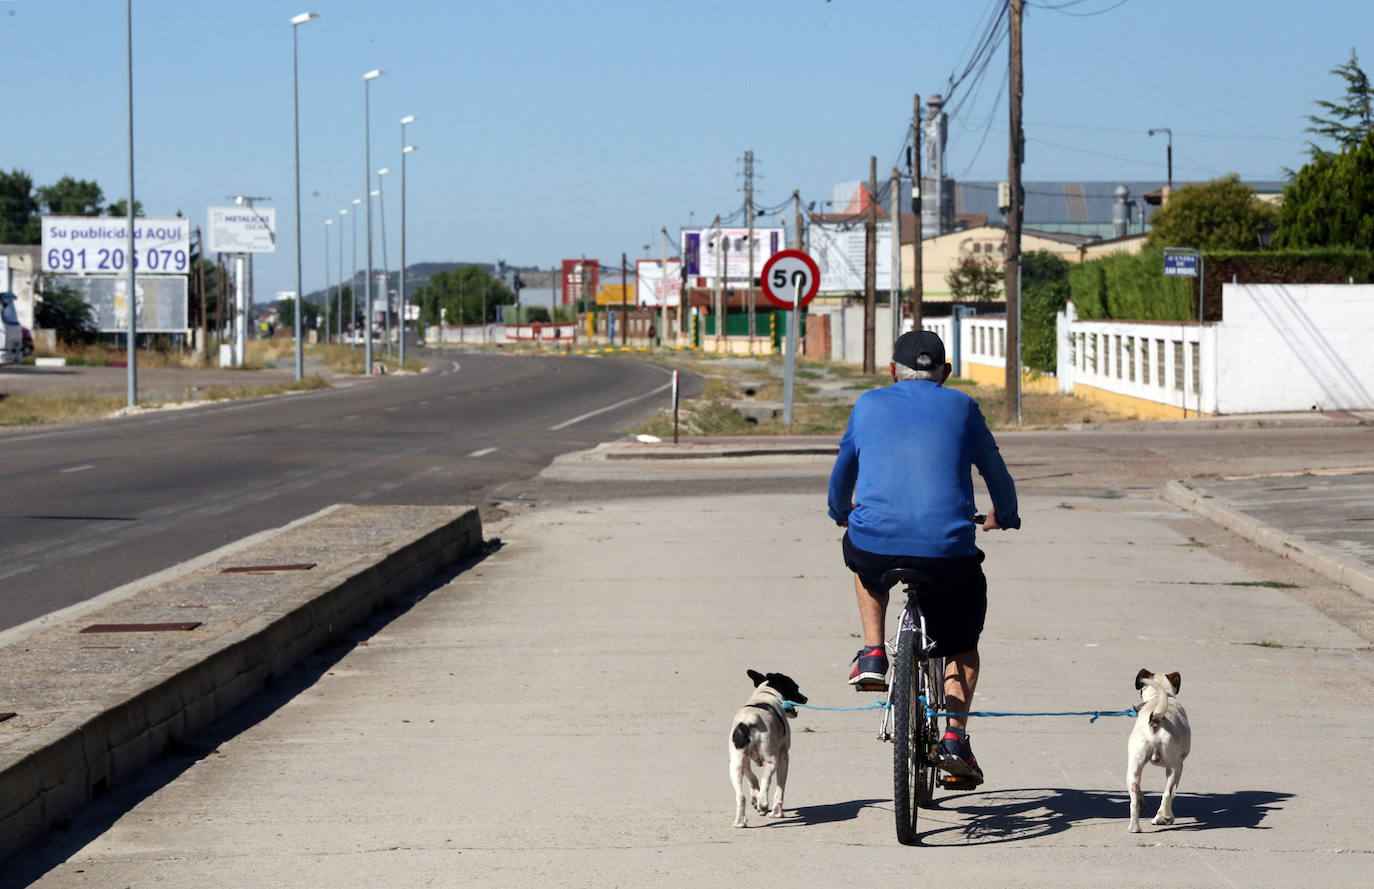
(916,696)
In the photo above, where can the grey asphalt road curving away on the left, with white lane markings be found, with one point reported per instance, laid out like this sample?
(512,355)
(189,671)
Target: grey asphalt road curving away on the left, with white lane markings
(90,508)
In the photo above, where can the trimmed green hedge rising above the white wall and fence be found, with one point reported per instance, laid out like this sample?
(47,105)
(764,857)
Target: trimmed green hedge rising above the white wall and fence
(1133,286)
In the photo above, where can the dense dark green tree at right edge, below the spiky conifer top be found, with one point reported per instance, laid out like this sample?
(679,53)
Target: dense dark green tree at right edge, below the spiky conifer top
(1331,201)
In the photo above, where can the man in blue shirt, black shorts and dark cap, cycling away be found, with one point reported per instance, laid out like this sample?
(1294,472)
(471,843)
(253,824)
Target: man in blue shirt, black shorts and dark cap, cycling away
(903,488)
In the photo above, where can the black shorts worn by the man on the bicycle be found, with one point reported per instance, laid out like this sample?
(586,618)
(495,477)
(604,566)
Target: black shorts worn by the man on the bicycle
(956,614)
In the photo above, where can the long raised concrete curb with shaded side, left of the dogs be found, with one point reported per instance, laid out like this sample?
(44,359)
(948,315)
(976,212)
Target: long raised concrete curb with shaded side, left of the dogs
(56,772)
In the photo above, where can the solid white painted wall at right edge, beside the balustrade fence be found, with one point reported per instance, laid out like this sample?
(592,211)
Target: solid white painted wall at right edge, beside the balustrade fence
(1296,348)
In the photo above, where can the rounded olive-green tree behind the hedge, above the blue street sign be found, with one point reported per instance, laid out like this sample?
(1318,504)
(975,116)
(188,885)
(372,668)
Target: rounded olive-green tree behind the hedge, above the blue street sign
(1219,215)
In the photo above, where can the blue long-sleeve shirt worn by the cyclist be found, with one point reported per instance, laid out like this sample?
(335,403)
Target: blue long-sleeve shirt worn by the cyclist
(906,465)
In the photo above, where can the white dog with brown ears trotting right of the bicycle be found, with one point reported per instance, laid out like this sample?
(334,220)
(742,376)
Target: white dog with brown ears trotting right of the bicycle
(1162,736)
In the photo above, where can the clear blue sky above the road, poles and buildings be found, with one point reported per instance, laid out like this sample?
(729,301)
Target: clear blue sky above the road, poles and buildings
(553,130)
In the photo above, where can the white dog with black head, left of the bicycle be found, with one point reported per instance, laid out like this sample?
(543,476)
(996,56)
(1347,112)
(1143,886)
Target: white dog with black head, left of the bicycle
(761,734)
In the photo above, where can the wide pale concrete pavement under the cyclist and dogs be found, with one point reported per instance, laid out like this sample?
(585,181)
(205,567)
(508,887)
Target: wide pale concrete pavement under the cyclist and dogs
(559,717)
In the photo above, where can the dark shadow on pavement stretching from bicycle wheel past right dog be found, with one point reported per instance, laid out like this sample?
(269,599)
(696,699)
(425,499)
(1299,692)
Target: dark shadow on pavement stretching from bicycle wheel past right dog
(1035,813)
